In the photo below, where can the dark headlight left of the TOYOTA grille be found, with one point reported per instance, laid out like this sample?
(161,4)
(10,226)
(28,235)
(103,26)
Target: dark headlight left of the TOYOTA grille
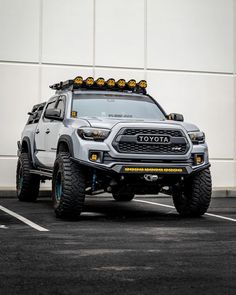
(89,133)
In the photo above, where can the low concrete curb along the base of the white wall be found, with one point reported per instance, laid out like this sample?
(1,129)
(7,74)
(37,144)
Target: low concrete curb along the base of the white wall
(10,192)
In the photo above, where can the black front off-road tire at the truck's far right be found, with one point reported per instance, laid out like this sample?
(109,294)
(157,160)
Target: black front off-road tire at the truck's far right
(193,199)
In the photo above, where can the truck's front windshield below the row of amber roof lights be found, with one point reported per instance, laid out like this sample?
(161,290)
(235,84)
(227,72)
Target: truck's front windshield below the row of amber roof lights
(115,106)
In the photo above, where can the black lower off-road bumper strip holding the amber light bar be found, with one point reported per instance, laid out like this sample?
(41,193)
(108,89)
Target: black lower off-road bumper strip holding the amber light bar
(146,168)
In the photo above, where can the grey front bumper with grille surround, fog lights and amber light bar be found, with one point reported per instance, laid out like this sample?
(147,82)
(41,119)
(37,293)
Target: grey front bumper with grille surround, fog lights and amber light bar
(135,162)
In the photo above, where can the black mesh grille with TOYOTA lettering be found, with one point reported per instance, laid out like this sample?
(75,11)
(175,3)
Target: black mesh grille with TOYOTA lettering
(131,146)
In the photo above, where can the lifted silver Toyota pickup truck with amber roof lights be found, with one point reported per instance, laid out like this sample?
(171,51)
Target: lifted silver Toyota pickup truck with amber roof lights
(110,136)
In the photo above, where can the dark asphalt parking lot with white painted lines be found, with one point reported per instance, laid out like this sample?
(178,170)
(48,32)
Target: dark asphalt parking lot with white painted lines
(117,248)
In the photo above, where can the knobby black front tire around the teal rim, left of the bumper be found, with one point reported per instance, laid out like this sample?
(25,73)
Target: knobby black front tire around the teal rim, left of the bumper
(71,201)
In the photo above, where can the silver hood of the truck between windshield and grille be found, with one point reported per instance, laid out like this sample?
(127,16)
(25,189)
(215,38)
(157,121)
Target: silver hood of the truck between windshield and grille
(110,123)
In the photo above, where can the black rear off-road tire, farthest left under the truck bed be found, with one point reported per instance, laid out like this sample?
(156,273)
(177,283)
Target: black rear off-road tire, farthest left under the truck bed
(27,184)
